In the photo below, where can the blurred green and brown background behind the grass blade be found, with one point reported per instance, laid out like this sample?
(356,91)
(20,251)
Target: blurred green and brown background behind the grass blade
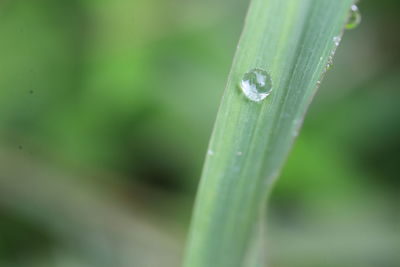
(106,108)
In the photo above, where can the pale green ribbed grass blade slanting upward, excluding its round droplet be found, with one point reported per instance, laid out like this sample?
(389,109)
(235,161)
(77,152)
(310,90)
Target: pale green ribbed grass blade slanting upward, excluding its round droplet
(293,41)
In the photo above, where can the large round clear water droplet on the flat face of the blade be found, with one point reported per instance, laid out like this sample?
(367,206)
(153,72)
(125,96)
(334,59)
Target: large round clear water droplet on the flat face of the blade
(256,84)
